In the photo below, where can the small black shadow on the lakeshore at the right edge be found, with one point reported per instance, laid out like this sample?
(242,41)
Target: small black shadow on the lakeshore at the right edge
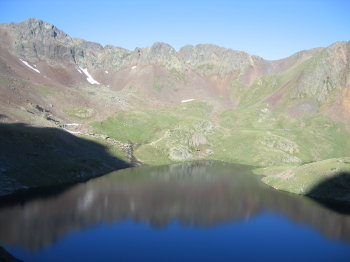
(333,193)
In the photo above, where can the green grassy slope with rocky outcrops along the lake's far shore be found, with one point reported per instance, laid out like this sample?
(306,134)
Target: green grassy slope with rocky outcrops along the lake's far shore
(253,135)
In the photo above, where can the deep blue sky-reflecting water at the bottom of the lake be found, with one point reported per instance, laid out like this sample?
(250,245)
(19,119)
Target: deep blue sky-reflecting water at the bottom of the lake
(267,236)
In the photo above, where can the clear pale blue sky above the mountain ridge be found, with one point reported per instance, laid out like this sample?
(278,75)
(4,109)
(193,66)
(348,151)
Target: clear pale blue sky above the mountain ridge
(269,28)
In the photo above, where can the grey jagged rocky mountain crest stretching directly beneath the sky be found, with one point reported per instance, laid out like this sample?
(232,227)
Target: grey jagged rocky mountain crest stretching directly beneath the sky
(36,40)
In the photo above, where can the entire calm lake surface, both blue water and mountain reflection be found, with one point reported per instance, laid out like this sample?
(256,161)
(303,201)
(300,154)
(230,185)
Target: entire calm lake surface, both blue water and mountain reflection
(200,211)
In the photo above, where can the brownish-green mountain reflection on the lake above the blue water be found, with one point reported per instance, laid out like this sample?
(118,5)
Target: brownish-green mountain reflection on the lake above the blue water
(200,194)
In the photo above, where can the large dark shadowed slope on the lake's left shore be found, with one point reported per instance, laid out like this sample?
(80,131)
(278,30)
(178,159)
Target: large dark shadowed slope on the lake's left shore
(37,161)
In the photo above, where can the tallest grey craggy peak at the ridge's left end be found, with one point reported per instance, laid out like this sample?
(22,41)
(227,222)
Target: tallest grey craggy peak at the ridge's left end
(35,40)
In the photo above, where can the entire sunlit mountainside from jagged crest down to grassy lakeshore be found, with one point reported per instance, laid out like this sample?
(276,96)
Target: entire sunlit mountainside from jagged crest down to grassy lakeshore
(157,105)
